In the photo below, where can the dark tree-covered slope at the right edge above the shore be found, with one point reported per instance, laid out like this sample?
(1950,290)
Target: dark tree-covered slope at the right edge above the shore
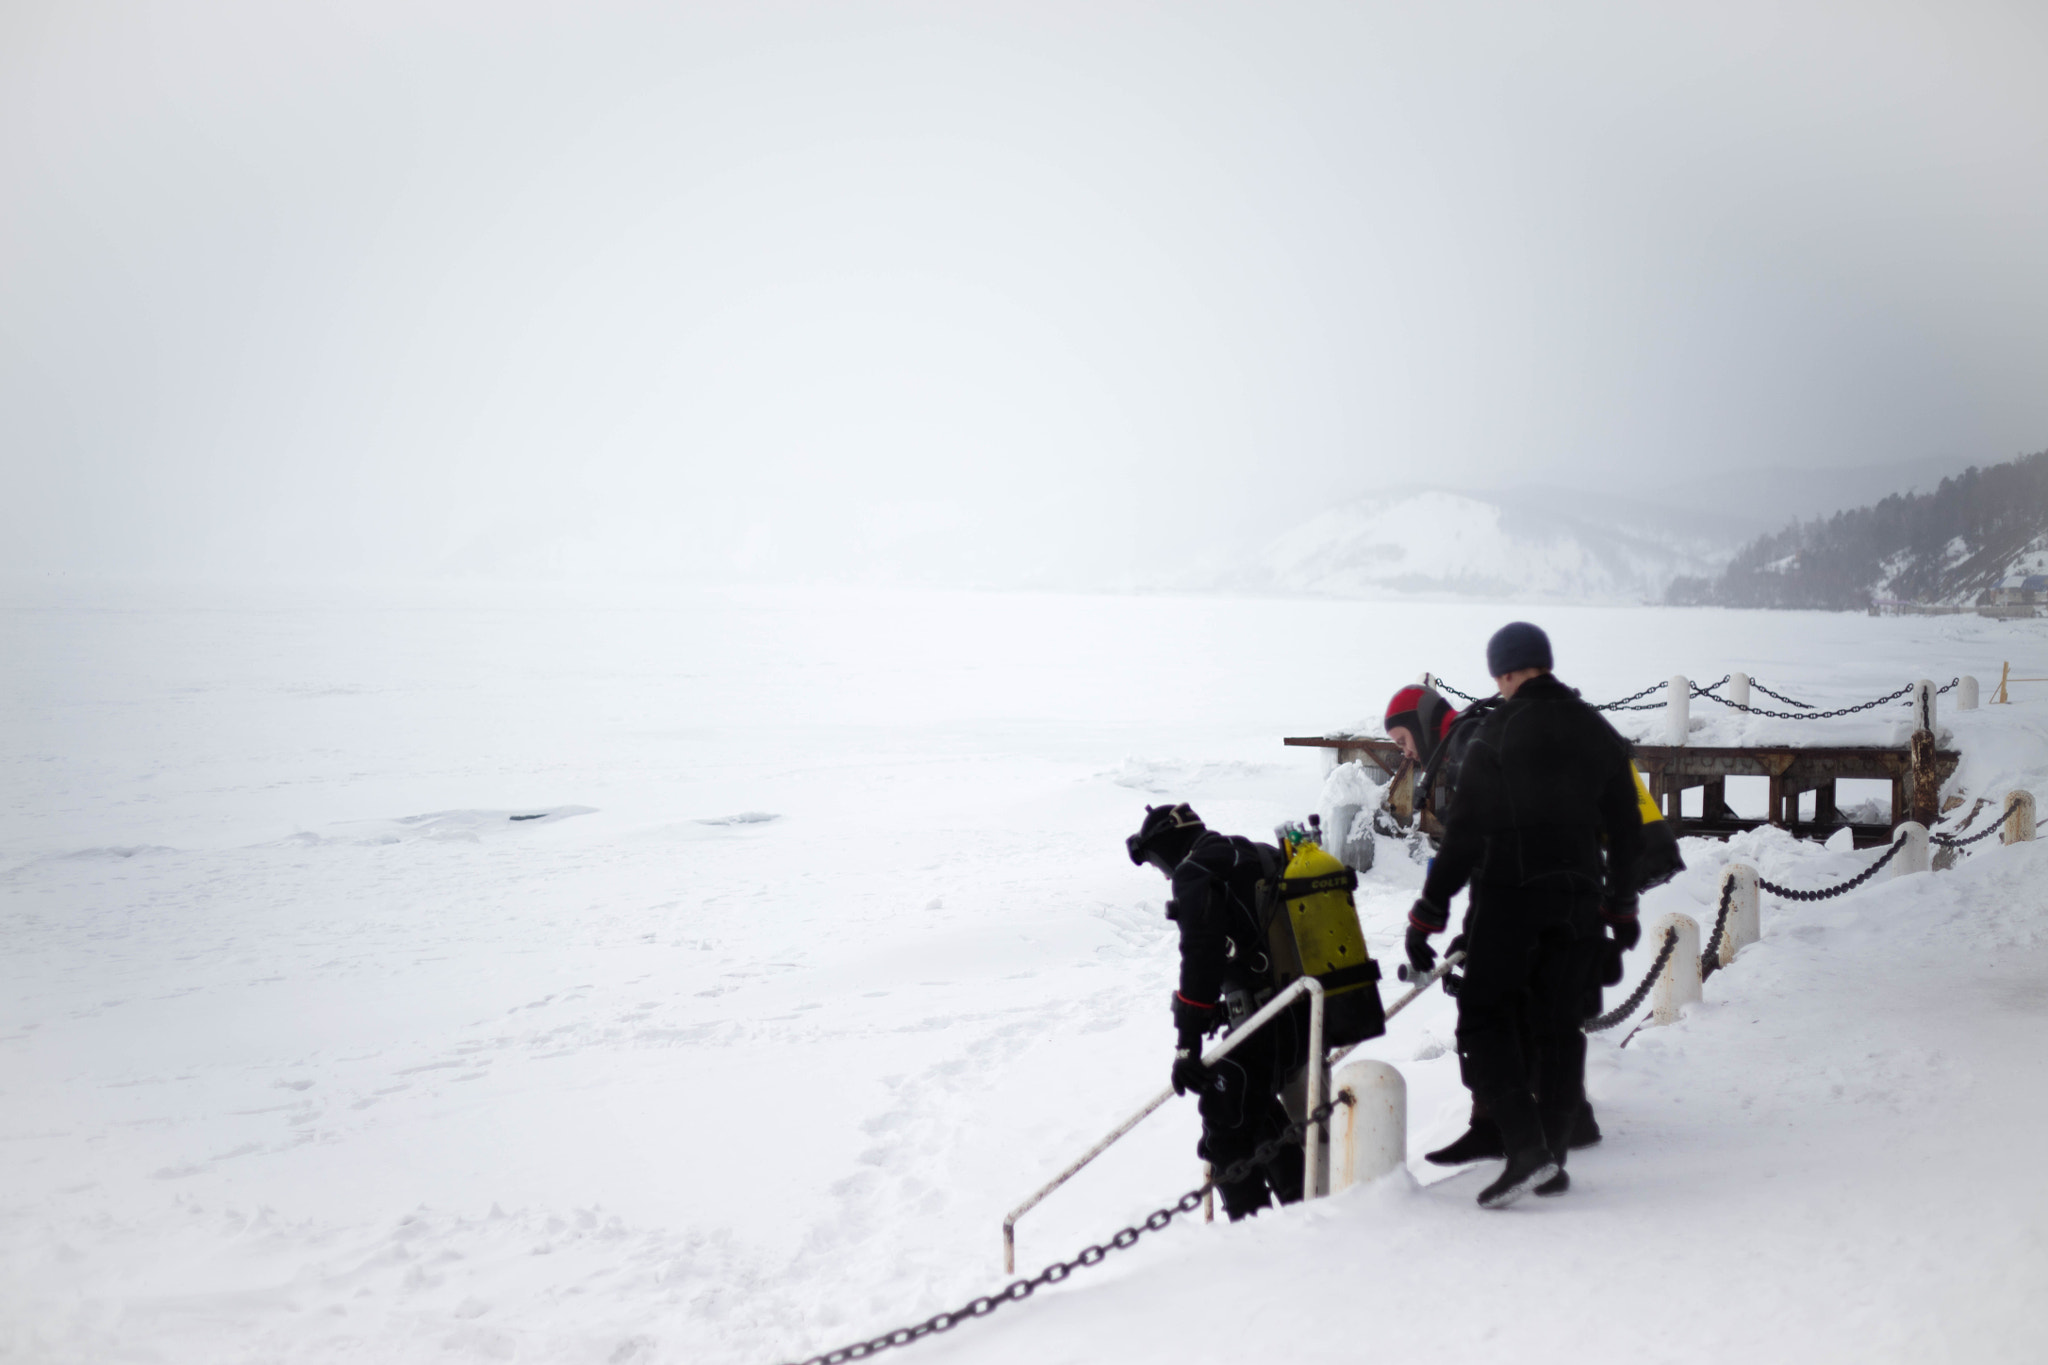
(1947,547)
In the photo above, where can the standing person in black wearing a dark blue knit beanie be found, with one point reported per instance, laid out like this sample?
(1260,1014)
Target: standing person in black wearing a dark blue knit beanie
(1547,832)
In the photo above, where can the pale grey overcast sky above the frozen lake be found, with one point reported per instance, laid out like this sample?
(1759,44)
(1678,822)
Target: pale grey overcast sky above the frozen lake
(308,290)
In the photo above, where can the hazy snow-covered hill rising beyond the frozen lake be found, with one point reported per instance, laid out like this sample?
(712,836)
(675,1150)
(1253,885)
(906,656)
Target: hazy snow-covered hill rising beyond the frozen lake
(1529,545)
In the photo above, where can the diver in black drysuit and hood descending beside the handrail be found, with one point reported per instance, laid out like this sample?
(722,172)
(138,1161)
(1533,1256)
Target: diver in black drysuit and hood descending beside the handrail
(1224,963)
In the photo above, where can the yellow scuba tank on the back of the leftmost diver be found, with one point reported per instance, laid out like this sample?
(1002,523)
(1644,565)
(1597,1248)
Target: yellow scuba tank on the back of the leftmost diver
(1312,930)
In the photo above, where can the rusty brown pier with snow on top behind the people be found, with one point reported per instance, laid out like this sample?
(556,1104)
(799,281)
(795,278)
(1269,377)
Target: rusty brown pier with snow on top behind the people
(1916,775)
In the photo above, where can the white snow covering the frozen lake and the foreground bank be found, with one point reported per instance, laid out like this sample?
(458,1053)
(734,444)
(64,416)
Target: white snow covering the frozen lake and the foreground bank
(820,951)
